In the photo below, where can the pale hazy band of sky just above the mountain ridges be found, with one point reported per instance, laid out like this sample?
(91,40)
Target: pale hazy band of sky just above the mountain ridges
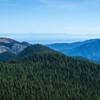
(47,38)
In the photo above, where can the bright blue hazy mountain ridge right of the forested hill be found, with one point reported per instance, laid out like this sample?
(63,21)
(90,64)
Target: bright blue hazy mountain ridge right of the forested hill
(89,49)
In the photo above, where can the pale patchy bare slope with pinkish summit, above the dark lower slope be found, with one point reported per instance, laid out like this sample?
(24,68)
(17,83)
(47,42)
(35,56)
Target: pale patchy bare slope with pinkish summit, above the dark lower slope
(12,45)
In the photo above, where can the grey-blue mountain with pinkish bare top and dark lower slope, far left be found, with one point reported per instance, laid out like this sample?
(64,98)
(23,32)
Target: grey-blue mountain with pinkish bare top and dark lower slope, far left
(9,48)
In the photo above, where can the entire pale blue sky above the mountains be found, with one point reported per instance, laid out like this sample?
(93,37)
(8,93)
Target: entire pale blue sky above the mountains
(50,20)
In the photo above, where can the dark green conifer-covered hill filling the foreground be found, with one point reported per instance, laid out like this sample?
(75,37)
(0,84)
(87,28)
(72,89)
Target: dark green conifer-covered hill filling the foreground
(40,73)
